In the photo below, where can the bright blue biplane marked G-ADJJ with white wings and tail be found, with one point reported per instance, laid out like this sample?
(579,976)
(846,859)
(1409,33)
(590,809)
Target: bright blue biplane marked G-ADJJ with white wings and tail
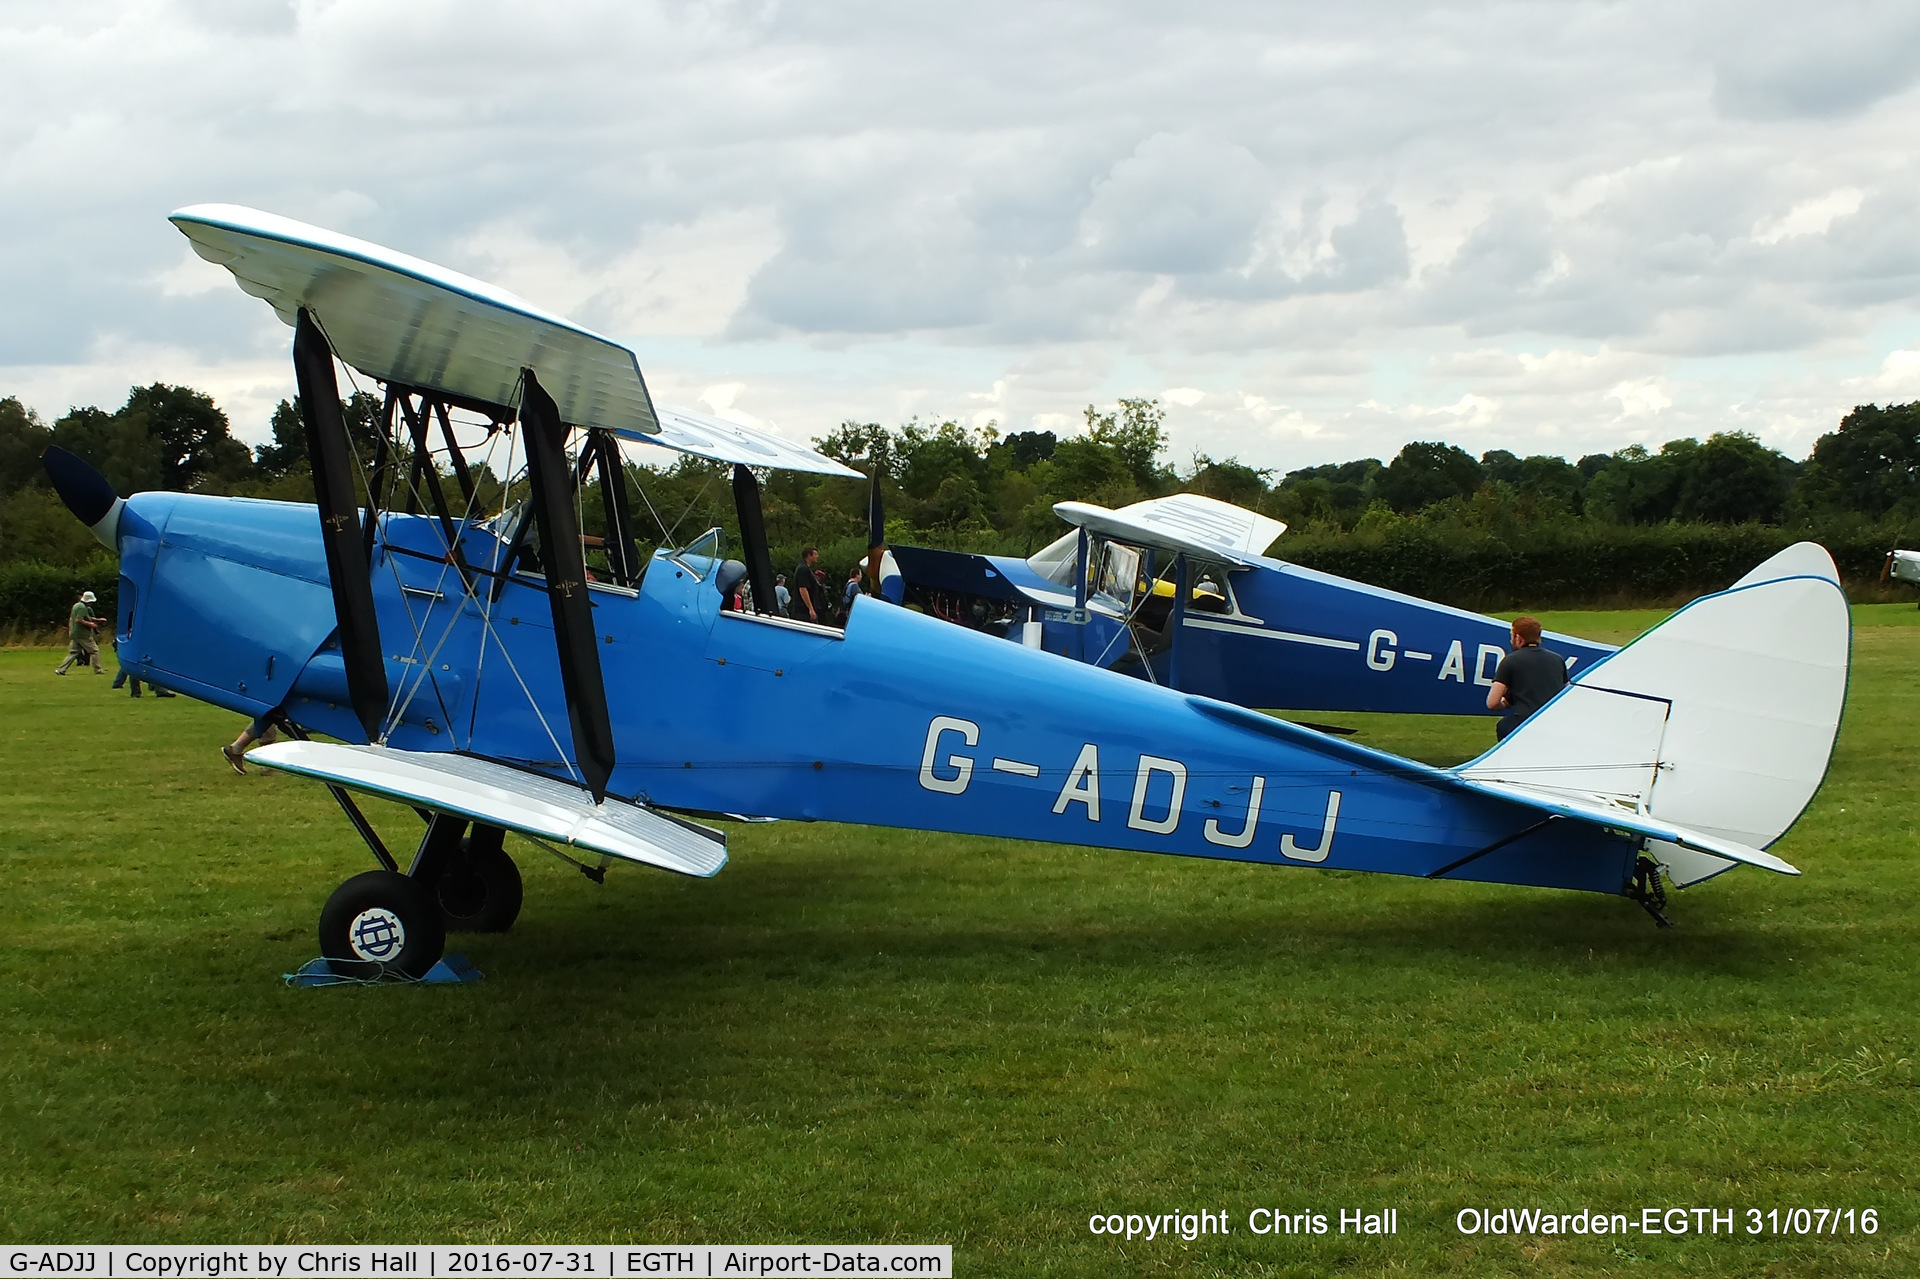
(466,662)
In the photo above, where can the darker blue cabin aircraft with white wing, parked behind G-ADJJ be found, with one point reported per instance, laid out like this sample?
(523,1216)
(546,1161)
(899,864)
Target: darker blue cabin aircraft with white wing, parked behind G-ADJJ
(1274,637)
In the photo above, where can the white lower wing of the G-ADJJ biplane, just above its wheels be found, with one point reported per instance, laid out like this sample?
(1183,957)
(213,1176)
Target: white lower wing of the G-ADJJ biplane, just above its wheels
(519,802)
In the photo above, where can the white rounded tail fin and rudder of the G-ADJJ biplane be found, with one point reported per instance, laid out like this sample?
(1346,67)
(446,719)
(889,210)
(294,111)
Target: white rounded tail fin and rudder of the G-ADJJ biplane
(1717,721)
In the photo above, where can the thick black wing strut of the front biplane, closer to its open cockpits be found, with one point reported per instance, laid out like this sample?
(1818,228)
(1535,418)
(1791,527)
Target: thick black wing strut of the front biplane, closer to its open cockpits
(552,496)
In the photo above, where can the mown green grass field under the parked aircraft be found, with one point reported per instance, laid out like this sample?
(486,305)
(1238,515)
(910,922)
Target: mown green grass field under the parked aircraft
(876,1036)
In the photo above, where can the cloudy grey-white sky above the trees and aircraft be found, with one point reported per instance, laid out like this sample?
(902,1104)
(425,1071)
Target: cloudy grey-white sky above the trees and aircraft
(1312,231)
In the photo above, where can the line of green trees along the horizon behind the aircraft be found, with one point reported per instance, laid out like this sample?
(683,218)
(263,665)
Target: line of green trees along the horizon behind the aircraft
(1435,519)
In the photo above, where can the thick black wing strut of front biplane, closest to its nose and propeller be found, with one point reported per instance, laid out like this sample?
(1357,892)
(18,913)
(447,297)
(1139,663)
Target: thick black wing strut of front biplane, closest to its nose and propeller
(341,523)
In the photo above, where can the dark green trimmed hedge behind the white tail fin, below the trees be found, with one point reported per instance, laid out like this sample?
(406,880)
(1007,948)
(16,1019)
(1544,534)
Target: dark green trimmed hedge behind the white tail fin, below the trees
(1573,567)
